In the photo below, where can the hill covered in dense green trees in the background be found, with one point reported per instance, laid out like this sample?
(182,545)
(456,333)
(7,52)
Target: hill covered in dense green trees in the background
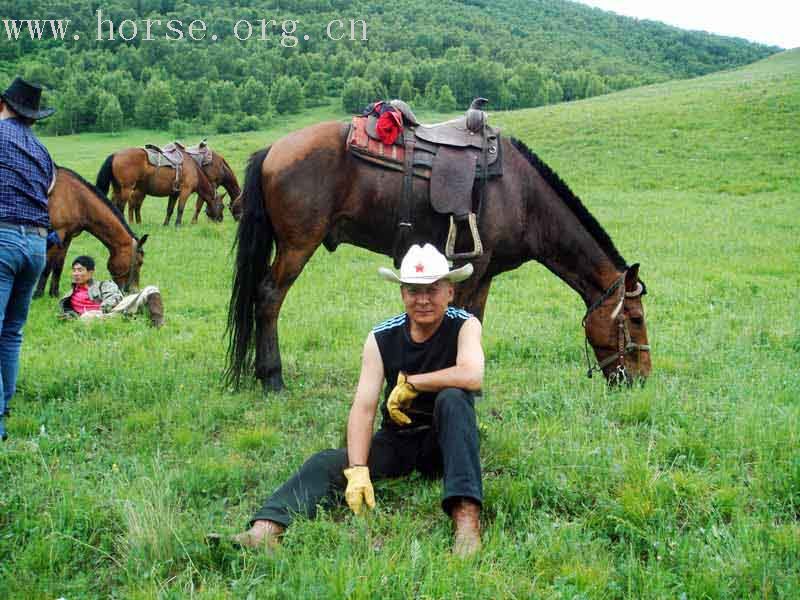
(517,53)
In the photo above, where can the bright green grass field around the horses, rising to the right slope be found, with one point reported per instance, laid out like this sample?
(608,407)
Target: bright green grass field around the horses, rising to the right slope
(125,449)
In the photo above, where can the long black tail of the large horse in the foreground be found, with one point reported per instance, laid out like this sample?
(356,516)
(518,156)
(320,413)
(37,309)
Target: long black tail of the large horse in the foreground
(253,246)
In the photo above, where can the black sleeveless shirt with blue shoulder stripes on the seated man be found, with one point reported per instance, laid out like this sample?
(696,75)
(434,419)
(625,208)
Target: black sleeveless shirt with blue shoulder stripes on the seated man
(400,353)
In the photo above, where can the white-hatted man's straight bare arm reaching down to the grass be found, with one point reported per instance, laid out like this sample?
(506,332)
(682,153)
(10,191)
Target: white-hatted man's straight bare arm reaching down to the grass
(365,403)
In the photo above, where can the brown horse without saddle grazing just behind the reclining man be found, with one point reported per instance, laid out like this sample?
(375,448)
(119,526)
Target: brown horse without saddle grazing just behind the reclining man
(75,205)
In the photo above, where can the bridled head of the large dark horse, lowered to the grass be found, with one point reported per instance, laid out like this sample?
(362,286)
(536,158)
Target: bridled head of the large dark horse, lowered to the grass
(615,328)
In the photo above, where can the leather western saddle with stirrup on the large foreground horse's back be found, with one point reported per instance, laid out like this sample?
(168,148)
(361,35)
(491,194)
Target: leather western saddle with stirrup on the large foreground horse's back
(452,155)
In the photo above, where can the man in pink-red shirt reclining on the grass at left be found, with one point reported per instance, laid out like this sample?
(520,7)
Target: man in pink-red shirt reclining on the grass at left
(90,299)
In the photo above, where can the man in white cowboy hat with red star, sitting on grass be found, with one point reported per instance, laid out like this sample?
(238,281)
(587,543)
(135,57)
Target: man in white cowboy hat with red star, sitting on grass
(431,361)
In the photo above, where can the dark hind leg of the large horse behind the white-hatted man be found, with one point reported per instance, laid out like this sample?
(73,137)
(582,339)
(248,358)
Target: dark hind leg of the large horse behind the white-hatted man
(272,292)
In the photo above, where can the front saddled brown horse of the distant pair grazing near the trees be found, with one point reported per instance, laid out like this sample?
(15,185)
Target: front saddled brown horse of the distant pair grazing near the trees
(133,177)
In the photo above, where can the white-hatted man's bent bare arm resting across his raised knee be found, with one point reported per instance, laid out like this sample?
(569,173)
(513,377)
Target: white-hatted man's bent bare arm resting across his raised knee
(467,374)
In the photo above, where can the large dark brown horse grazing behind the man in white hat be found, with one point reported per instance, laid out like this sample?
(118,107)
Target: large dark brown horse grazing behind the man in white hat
(307,189)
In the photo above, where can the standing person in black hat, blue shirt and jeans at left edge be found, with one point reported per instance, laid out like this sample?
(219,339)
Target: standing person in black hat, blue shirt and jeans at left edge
(27,175)
